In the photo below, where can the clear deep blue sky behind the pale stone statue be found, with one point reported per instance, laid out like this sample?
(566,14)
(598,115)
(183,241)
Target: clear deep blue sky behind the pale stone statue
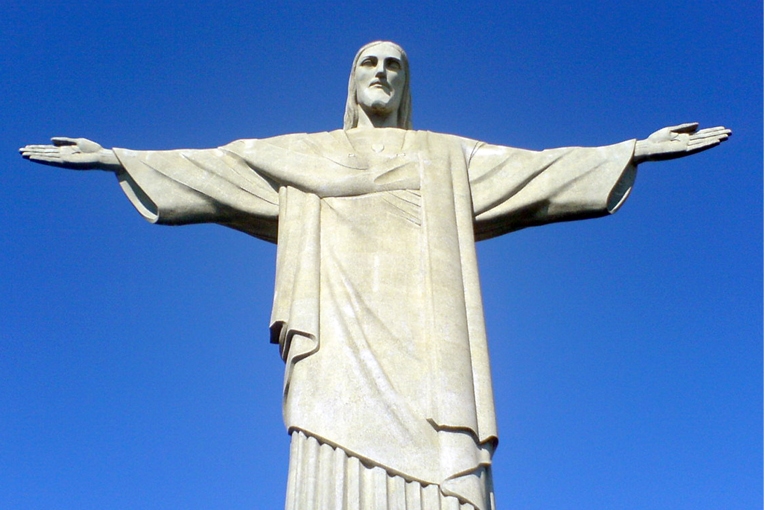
(627,351)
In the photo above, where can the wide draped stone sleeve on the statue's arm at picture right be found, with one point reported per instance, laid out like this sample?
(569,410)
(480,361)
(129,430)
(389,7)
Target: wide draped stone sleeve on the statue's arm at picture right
(513,189)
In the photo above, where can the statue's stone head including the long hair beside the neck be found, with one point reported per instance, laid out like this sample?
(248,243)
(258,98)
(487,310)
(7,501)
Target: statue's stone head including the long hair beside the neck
(379,82)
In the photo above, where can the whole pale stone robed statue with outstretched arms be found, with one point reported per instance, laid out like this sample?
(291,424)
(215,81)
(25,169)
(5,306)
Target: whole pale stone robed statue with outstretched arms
(377,307)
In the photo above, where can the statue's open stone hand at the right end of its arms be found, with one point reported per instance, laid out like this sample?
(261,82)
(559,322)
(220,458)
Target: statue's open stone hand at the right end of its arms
(678,141)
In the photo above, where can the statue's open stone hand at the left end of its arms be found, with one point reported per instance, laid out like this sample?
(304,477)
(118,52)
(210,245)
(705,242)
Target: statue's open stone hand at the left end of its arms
(73,153)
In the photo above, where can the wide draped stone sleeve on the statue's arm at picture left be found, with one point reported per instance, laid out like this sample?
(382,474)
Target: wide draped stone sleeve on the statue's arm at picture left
(181,187)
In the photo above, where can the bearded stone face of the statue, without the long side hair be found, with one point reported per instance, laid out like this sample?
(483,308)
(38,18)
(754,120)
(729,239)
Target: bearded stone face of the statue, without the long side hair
(380,79)
